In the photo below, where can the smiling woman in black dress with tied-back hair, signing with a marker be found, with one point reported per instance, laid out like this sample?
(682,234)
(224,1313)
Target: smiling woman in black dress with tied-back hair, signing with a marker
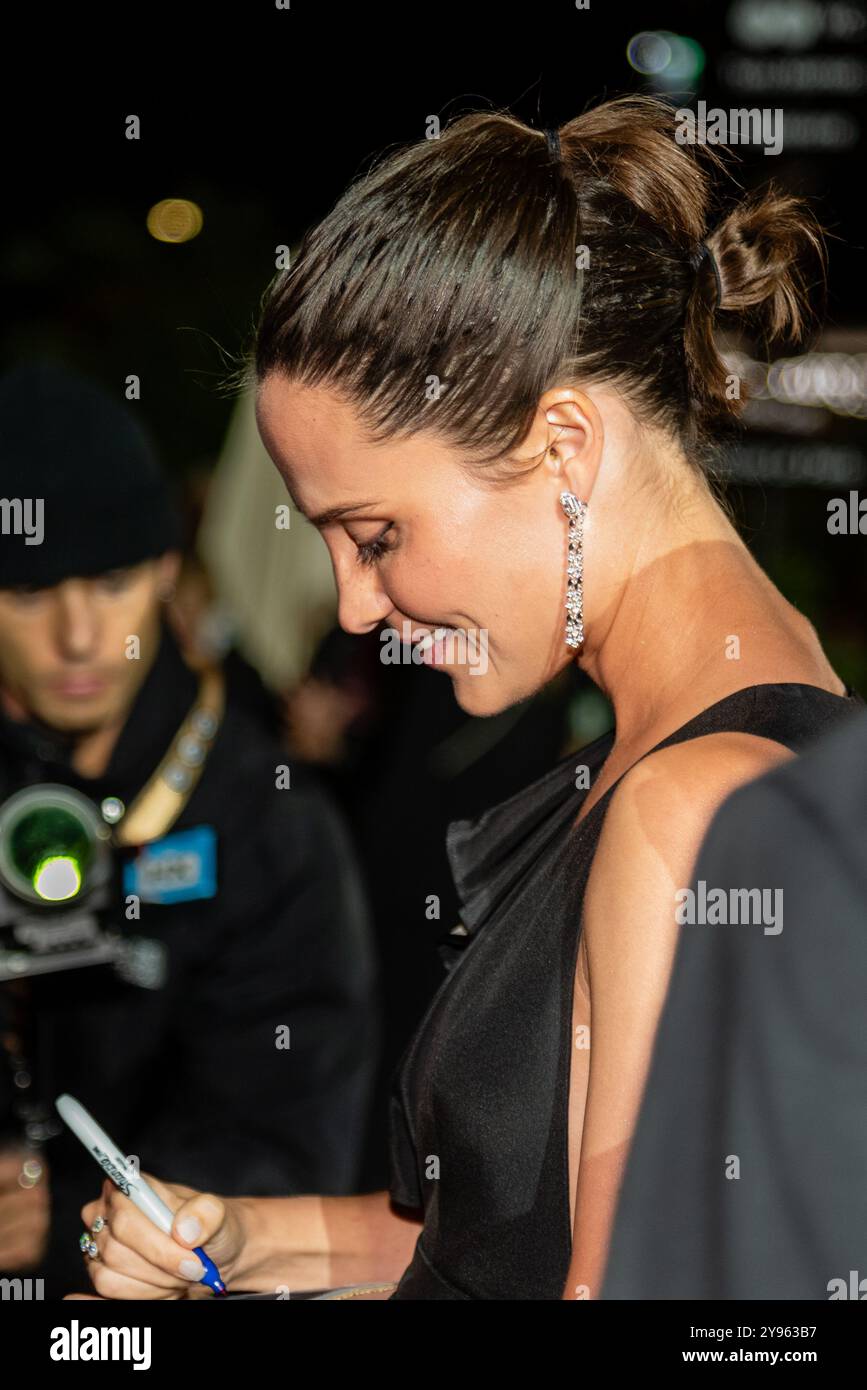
(493,379)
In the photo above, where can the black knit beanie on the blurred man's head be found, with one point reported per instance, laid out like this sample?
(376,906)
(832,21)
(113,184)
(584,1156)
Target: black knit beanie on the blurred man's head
(81,490)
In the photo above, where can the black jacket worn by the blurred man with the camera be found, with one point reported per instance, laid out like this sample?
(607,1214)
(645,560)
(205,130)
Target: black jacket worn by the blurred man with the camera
(188,1077)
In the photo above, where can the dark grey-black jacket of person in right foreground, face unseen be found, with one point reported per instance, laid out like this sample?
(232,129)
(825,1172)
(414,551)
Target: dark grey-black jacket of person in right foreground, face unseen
(761,1058)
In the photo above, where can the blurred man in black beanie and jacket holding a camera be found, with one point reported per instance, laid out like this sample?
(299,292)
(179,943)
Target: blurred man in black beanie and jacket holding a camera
(212,999)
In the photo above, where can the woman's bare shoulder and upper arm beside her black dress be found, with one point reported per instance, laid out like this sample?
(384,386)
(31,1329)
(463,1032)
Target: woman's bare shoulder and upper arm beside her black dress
(655,822)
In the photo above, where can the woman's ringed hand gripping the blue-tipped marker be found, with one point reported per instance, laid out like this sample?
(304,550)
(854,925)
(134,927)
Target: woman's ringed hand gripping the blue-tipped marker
(137,1260)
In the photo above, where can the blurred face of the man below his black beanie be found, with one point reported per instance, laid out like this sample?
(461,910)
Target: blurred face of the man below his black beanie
(69,654)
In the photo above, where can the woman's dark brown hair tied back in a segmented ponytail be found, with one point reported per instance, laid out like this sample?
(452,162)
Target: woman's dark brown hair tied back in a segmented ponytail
(456,261)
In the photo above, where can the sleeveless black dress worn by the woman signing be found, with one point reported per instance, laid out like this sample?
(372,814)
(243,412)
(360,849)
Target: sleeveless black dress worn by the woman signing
(480,1100)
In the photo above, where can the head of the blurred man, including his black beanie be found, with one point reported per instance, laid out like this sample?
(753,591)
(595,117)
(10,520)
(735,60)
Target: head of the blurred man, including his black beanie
(97,514)
